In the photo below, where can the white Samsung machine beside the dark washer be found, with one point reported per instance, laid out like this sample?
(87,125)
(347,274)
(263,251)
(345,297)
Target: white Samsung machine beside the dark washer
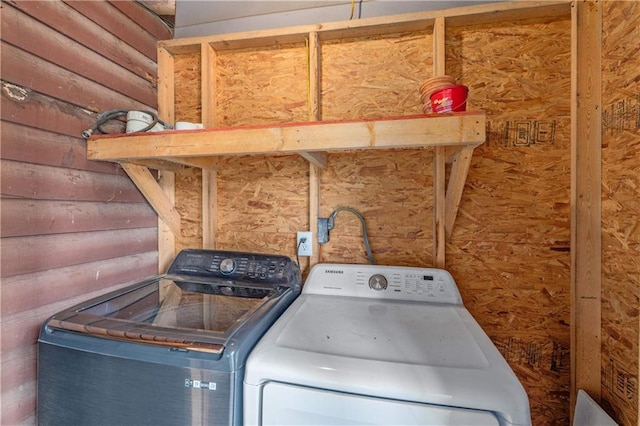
(380,345)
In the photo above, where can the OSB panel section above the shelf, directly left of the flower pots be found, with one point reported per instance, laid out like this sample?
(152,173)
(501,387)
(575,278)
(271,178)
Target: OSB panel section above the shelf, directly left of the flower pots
(376,76)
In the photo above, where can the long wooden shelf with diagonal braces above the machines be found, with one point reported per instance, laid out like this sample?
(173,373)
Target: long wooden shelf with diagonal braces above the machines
(171,150)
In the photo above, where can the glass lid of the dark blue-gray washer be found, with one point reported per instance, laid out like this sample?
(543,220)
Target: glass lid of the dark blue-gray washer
(165,312)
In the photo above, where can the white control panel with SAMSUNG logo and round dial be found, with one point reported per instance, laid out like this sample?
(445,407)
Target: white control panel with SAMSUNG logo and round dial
(383,282)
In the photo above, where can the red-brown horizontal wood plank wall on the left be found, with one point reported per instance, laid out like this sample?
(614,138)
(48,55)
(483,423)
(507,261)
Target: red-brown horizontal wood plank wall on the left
(70,228)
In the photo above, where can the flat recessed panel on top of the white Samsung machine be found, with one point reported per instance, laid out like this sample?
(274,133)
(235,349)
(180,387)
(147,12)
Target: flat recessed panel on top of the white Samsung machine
(379,330)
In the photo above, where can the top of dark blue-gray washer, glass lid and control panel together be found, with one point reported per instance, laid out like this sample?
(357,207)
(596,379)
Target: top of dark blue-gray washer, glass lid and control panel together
(206,299)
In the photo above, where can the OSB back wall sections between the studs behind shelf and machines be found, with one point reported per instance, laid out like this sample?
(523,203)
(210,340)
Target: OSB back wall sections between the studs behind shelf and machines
(510,248)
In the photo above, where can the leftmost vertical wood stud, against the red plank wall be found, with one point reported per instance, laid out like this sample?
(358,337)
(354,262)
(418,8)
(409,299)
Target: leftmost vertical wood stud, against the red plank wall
(166,112)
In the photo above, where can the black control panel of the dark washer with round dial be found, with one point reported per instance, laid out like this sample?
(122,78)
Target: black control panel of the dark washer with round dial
(236,266)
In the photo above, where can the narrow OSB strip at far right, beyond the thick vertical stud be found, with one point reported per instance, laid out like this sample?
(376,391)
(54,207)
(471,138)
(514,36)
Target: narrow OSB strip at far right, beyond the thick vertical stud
(621,209)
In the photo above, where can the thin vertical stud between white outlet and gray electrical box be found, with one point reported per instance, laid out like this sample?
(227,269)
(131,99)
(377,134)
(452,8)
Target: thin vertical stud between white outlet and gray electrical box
(314,56)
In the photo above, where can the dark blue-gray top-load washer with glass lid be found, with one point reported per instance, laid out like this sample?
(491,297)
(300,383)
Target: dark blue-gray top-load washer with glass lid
(169,350)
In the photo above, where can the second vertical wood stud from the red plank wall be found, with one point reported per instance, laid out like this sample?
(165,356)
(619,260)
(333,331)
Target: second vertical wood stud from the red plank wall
(209,119)
